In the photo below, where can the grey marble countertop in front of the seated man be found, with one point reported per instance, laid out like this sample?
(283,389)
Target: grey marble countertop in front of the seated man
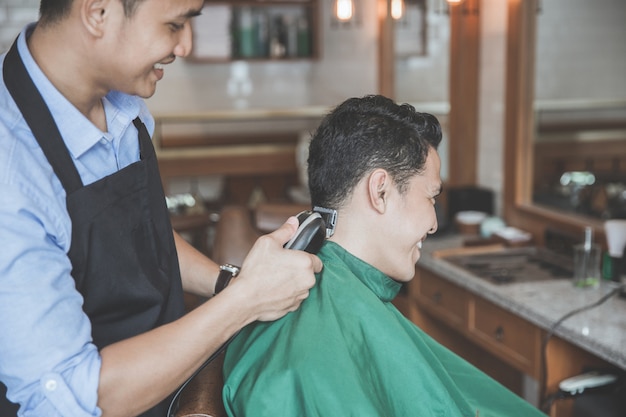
(600,330)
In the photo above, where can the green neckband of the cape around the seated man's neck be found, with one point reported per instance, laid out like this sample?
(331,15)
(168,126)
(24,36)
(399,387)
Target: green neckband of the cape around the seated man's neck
(380,284)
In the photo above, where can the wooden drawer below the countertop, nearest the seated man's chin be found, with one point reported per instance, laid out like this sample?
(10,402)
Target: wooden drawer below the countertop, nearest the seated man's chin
(447,301)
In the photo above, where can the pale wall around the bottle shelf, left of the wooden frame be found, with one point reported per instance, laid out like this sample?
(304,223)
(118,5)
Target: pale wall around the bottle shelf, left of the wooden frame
(347,67)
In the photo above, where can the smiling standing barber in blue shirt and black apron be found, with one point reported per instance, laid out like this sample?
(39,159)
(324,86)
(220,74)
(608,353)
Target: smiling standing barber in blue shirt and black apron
(92,276)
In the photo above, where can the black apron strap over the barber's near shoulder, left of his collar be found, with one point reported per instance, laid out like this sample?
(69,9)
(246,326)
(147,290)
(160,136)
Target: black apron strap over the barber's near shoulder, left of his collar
(40,120)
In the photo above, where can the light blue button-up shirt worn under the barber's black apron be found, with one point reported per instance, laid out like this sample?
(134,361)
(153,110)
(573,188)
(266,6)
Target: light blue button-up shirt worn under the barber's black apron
(47,358)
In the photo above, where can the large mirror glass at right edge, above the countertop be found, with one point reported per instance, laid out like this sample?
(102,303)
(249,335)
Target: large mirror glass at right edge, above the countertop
(579,147)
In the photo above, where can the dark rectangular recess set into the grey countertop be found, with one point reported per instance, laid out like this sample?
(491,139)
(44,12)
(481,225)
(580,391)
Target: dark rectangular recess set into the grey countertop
(515,265)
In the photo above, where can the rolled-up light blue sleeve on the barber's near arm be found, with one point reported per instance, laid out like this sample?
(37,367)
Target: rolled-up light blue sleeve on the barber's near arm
(47,360)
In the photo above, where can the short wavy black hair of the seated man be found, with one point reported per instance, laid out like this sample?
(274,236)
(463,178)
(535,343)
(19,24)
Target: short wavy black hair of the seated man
(363,134)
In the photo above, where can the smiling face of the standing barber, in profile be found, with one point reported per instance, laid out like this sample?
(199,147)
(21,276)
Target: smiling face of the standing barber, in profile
(140,46)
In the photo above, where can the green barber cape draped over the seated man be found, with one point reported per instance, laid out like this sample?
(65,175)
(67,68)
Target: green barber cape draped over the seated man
(349,352)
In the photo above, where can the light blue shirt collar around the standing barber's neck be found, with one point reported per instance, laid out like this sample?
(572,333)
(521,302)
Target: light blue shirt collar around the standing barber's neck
(78,132)
